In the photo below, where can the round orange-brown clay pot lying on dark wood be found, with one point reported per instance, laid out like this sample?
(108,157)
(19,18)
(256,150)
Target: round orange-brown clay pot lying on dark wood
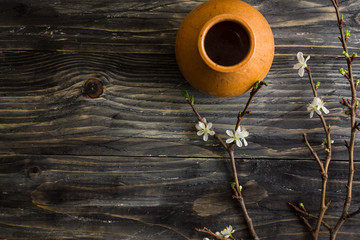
(223,47)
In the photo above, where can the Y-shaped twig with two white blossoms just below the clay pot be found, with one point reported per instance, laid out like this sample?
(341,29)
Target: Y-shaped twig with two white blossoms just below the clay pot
(237,137)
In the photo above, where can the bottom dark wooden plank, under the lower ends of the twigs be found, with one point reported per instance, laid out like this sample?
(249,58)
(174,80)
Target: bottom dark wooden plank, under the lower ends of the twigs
(47,197)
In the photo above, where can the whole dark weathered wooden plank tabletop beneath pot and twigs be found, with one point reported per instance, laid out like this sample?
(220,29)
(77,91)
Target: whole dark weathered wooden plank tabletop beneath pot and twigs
(126,163)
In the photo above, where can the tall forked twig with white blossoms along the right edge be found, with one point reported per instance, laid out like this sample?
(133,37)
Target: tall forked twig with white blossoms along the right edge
(317,106)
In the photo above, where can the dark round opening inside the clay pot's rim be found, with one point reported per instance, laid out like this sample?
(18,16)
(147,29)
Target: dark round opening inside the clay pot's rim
(227,43)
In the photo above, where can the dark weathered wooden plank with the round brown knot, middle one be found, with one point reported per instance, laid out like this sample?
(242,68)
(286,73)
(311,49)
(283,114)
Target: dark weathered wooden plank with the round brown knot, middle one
(43,110)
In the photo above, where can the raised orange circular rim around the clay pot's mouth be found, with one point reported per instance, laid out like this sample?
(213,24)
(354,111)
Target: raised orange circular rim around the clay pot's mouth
(201,42)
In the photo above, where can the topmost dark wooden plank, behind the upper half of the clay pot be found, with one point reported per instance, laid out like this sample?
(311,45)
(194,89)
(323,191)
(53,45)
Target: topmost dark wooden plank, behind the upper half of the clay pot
(151,26)
